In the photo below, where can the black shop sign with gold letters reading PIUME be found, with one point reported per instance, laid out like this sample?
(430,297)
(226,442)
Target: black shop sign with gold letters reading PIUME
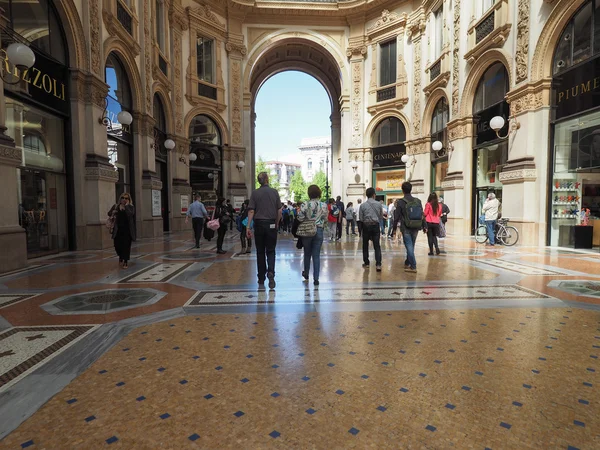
(577,90)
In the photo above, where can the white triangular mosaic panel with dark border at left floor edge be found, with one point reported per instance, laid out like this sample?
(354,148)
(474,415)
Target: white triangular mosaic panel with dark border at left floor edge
(24,349)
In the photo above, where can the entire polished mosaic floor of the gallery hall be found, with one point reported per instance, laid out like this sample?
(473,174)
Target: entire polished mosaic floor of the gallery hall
(481,348)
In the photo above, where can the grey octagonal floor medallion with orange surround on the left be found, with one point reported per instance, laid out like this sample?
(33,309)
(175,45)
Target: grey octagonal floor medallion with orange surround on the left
(102,302)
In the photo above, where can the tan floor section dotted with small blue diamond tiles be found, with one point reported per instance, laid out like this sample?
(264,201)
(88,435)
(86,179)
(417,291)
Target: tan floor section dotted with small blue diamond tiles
(453,379)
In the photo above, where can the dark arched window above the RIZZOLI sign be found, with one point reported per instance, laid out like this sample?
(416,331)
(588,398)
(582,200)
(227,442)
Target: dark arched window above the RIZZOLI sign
(37,21)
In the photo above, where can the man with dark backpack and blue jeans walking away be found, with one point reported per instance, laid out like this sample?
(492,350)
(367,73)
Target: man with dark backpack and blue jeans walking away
(409,214)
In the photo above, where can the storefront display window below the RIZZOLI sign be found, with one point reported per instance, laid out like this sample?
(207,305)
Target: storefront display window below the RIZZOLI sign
(42,191)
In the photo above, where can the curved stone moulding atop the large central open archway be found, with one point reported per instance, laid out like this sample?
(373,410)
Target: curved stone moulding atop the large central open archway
(328,47)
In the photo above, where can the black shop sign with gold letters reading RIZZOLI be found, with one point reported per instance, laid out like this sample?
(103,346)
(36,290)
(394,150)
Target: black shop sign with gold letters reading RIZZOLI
(44,83)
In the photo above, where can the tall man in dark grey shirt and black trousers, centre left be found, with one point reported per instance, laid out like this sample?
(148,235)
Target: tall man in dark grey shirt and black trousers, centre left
(264,214)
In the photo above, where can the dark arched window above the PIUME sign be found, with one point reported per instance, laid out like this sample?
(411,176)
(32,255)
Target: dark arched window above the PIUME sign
(580,39)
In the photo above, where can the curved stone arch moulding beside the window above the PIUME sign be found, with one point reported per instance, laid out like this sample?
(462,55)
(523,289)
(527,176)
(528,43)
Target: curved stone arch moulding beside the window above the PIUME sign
(541,66)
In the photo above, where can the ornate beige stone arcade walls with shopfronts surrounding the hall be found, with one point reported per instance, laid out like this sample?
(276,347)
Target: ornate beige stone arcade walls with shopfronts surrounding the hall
(399,75)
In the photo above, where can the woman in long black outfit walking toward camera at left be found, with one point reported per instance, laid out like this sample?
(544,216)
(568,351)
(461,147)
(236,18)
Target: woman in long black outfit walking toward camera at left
(122,218)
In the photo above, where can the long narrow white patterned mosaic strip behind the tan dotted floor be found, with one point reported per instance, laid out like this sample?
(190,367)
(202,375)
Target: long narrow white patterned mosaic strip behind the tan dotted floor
(442,293)
